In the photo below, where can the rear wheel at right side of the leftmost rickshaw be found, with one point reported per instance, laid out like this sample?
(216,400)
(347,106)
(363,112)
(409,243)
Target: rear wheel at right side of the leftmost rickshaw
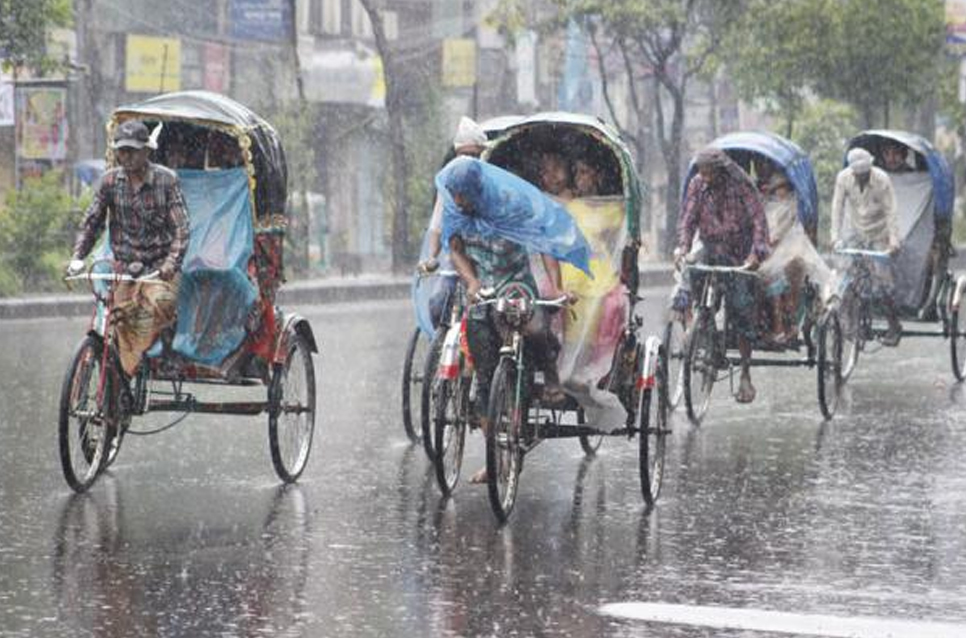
(291,414)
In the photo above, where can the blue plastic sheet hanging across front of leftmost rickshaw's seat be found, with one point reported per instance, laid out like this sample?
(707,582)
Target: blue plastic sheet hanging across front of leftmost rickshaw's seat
(216,294)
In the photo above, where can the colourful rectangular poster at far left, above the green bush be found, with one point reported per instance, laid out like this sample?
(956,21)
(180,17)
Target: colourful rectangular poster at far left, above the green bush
(41,117)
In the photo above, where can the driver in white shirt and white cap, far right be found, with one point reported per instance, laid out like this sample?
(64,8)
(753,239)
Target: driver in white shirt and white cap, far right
(864,215)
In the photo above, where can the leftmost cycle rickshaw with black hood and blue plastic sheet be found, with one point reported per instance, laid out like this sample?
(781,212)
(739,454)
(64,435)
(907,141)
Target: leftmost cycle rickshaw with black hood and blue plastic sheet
(229,331)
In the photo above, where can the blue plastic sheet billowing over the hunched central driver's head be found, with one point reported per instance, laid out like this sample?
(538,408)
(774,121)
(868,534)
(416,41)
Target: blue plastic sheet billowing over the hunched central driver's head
(506,206)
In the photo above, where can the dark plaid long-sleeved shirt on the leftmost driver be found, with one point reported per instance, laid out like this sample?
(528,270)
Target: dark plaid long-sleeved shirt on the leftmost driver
(149,224)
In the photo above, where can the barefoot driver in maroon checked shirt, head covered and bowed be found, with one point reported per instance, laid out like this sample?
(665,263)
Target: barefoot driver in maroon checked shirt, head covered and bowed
(722,204)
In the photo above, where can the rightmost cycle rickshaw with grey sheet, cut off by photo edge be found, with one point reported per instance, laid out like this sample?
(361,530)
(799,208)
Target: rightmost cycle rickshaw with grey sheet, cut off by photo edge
(926,293)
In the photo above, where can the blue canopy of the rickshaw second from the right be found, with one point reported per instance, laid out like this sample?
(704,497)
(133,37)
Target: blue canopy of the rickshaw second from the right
(787,155)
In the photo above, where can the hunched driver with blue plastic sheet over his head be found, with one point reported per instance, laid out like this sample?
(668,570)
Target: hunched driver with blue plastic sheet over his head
(487,256)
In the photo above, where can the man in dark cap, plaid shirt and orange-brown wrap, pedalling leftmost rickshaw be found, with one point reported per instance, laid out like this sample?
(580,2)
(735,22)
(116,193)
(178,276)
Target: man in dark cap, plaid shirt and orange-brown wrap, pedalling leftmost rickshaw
(144,210)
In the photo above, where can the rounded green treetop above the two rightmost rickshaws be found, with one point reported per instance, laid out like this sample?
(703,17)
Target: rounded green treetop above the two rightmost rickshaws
(873,55)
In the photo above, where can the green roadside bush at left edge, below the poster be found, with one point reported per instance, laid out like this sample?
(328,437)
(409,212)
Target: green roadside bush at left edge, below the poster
(36,225)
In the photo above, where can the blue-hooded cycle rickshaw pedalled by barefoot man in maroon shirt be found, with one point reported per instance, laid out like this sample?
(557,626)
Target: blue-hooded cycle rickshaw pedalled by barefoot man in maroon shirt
(699,337)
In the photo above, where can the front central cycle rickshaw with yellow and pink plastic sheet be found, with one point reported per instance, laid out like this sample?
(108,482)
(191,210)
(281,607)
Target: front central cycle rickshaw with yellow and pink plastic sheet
(610,372)
